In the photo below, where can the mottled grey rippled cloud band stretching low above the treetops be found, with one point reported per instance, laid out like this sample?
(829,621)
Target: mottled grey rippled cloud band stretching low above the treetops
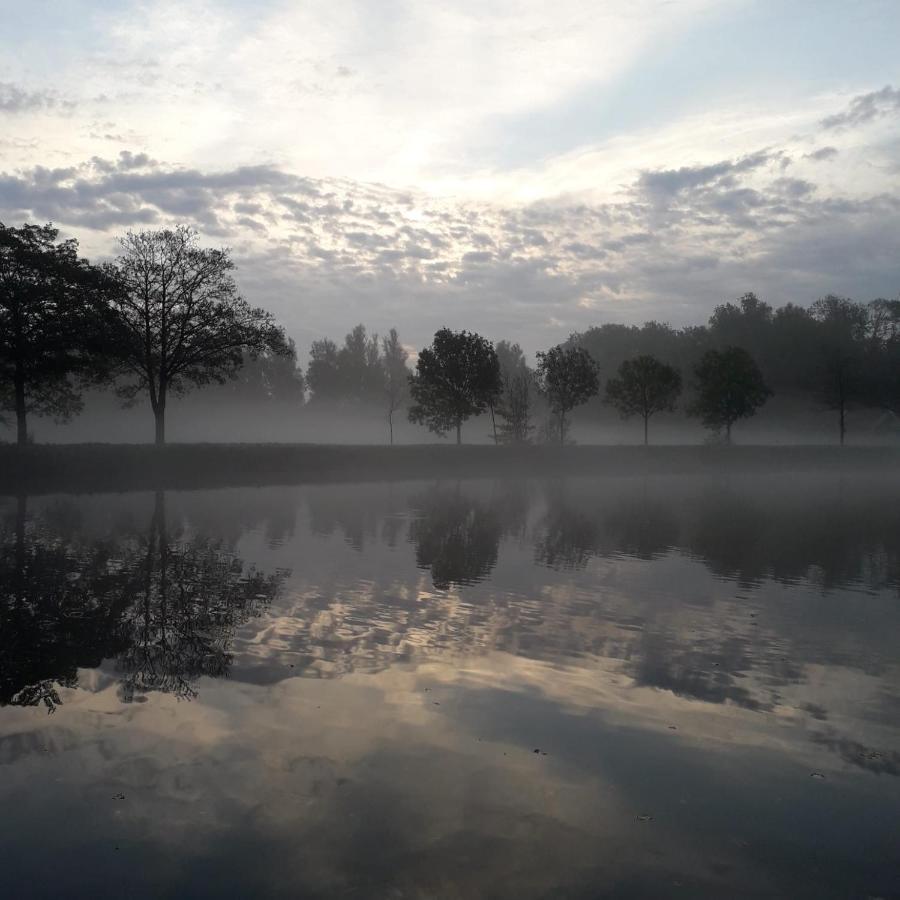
(326,253)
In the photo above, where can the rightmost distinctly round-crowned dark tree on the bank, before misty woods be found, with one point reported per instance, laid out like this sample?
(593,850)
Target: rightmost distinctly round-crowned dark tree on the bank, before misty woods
(729,387)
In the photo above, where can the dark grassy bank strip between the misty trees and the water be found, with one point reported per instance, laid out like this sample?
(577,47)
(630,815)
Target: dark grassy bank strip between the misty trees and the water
(101,467)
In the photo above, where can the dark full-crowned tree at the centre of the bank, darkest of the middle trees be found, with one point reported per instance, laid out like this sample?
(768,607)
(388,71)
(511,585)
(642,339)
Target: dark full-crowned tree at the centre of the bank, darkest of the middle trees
(456,377)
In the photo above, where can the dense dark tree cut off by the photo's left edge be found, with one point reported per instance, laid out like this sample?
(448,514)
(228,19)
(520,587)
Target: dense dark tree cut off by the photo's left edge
(54,317)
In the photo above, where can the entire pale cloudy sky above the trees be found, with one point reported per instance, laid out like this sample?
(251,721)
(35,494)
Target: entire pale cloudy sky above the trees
(524,168)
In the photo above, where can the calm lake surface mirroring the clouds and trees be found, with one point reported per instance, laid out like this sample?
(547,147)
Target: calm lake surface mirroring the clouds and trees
(662,687)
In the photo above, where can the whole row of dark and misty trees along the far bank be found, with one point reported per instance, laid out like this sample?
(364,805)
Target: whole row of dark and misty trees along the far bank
(166,316)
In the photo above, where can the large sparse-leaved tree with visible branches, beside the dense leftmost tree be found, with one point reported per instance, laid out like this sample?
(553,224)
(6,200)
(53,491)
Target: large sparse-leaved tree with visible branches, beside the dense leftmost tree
(183,322)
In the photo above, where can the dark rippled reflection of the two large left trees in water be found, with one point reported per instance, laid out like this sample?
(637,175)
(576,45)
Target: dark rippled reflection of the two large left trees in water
(165,610)
